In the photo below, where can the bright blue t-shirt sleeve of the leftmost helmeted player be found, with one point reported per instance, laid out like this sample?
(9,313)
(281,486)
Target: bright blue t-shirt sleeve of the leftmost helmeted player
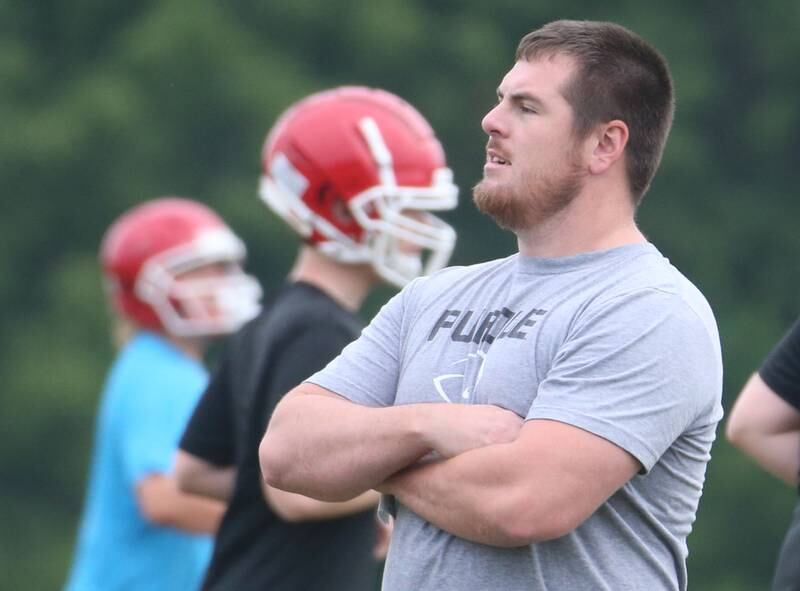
(154,419)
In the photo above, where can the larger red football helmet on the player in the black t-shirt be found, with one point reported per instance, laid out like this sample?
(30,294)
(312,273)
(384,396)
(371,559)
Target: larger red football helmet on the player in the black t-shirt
(355,171)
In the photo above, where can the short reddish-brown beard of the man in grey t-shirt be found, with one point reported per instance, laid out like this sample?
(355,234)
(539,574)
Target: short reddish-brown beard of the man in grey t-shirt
(542,197)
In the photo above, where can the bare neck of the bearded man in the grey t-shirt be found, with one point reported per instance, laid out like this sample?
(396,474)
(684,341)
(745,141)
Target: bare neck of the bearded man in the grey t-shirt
(593,221)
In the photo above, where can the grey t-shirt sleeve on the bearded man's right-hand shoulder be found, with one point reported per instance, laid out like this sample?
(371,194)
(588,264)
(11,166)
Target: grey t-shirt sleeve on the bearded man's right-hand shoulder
(637,370)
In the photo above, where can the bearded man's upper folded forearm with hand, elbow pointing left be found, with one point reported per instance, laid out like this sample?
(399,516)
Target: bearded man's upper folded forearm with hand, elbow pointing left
(323,446)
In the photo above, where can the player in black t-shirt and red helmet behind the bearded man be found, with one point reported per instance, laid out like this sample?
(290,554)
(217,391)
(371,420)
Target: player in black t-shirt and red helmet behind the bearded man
(355,171)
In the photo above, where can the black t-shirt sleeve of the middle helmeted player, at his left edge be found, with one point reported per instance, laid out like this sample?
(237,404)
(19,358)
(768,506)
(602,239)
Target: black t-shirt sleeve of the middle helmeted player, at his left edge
(209,433)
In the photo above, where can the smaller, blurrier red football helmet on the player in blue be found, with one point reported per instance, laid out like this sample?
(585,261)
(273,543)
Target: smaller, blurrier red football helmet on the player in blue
(146,250)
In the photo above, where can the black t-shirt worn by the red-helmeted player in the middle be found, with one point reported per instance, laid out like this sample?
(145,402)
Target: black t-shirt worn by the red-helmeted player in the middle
(296,334)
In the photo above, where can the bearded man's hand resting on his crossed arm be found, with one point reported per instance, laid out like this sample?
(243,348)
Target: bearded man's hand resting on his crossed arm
(456,428)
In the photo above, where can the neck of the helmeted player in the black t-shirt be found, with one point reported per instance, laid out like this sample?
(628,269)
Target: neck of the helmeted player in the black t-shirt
(347,284)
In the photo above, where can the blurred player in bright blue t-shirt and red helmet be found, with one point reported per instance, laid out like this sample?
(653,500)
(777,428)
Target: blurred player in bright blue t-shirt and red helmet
(173,277)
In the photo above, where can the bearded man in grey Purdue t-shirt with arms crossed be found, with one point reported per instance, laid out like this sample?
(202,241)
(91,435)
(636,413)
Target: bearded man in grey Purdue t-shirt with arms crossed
(542,421)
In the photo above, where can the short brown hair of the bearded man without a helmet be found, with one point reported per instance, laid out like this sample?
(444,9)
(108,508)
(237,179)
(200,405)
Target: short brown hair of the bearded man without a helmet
(620,76)
